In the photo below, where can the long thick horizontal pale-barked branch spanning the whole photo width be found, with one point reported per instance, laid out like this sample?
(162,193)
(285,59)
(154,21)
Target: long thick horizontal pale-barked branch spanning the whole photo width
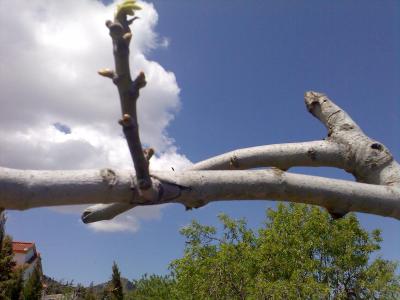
(28,189)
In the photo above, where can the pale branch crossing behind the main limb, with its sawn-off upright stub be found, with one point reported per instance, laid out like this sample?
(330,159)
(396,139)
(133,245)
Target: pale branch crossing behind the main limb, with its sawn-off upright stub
(346,147)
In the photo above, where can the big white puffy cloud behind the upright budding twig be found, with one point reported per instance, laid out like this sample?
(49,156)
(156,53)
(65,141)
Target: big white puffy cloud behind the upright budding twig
(49,56)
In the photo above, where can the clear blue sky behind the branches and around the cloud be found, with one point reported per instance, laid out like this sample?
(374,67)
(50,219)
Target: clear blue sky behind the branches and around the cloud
(242,69)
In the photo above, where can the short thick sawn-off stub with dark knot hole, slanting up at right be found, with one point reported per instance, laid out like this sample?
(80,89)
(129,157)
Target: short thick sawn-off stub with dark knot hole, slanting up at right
(368,160)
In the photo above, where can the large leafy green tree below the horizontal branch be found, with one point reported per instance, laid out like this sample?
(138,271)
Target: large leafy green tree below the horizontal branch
(300,253)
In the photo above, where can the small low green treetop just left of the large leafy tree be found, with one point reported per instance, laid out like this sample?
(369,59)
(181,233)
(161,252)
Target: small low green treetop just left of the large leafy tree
(153,287)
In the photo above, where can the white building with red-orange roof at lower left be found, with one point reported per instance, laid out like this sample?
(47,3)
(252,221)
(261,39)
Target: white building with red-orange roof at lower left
(26,256)
